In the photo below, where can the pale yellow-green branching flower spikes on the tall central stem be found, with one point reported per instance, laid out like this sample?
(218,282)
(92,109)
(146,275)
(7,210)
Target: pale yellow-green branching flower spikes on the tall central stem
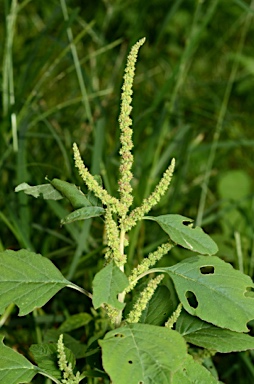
(118,219)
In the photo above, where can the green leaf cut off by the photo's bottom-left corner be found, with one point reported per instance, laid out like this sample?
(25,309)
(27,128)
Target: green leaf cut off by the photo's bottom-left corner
(14,368)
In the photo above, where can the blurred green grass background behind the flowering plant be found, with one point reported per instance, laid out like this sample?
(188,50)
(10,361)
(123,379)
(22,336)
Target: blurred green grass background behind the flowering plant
(61,76)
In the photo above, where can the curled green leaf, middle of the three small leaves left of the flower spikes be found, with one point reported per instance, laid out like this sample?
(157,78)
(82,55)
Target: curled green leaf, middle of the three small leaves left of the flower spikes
(75,196)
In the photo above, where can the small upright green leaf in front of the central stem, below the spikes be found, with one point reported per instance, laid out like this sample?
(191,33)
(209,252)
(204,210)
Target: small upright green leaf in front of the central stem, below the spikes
(107,284)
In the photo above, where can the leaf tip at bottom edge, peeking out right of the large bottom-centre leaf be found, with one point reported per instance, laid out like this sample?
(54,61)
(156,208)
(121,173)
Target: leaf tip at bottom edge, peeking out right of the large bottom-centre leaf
(193,373)
